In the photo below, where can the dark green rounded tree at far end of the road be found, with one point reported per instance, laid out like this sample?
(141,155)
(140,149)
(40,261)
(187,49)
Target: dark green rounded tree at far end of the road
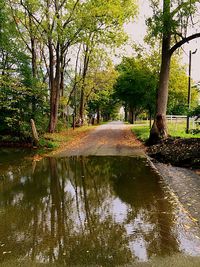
(136,85)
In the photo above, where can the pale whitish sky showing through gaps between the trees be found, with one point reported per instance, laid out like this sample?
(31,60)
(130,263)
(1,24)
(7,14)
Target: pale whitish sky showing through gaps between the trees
(137,31)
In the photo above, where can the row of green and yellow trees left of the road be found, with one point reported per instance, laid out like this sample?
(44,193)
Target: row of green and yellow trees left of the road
(54,54)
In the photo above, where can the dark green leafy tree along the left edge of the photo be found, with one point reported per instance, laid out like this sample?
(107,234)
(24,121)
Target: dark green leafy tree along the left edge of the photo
(18,87)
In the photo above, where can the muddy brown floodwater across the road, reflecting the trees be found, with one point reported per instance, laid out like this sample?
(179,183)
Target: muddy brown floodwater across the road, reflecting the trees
(89,211)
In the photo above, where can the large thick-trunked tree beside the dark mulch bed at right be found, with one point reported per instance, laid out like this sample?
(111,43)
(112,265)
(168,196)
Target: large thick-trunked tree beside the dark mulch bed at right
(171,25)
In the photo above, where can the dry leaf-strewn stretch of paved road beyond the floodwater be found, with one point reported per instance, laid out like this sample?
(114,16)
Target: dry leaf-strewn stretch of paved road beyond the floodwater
(114,138)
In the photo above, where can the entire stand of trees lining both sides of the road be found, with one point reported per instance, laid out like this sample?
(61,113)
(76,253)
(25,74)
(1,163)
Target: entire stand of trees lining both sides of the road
(55,62)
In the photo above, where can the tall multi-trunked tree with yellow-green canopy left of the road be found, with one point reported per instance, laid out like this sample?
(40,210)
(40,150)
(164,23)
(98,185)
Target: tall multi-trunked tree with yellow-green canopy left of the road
(52,27)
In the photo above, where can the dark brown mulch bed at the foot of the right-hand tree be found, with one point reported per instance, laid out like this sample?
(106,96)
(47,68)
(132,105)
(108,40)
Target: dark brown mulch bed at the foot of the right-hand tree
(177,151)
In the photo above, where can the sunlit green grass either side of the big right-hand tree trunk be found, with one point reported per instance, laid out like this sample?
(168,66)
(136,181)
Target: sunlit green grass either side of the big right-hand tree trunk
(174,129)
